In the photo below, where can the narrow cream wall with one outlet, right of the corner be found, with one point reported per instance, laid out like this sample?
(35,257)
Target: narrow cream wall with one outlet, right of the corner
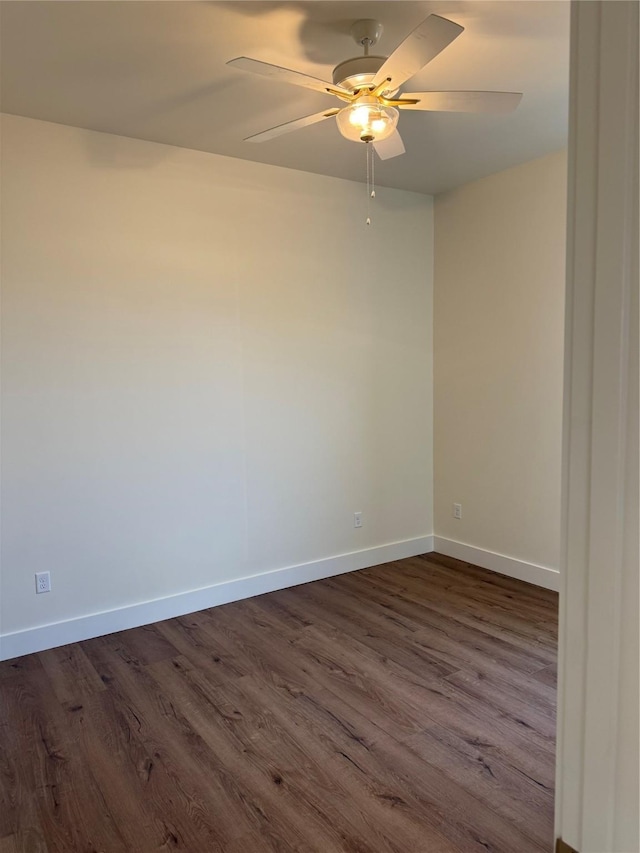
(498,356)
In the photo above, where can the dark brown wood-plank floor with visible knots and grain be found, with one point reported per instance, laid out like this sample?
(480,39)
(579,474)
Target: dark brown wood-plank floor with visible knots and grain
(406,708)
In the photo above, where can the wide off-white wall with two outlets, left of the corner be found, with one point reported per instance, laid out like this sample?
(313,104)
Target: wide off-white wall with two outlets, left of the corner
(208,366)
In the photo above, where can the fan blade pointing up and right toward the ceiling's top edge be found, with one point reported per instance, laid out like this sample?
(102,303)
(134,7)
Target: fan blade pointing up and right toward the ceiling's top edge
(419,48)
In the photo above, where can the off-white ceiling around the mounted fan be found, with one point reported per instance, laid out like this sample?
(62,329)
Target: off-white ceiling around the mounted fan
(156,71)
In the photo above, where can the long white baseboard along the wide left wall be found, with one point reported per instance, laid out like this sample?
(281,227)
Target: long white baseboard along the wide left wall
(133,616)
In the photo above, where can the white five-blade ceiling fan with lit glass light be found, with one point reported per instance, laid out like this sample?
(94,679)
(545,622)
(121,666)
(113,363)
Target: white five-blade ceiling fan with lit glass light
(370,85)
